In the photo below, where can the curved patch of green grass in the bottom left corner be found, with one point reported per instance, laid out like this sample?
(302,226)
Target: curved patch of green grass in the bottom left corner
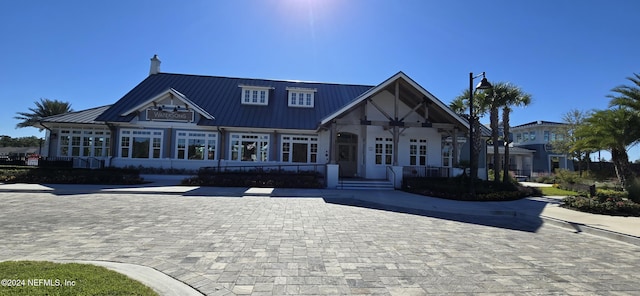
(48,278)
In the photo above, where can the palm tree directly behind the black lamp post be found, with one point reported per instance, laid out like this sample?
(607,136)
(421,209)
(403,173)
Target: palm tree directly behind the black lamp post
(460,105)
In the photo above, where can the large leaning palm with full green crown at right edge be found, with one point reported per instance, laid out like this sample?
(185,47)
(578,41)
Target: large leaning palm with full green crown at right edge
(613,130)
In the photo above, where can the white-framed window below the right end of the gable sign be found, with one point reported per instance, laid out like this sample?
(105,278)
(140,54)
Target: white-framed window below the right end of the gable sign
(196,145)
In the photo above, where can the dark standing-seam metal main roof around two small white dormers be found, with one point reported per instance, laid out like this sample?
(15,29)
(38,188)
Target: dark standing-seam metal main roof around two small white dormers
(221,97)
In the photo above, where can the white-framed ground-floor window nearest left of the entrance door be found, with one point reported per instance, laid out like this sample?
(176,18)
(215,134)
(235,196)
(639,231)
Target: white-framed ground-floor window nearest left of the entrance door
(302,149)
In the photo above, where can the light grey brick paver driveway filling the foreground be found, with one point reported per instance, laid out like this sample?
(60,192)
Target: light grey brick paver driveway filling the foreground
(275,246)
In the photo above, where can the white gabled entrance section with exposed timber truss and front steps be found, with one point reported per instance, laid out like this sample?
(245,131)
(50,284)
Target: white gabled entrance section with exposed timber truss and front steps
(393,130)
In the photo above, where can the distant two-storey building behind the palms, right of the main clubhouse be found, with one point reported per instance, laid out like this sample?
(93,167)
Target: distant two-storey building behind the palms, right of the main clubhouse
(531,152)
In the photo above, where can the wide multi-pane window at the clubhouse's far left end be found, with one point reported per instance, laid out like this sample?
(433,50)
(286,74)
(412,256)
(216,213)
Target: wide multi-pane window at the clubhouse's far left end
(84,143)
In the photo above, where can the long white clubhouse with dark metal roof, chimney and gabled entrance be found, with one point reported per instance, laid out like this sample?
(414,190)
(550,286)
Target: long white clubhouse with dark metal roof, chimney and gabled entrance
(168,120)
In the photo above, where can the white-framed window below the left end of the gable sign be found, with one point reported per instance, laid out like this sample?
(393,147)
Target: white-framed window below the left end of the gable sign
(141,143)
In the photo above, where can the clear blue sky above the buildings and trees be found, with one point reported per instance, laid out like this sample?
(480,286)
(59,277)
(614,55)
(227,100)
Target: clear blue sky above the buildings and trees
(567,54)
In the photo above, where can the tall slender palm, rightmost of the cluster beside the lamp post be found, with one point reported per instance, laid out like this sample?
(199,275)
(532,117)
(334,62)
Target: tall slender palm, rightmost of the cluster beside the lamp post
(510,96)
